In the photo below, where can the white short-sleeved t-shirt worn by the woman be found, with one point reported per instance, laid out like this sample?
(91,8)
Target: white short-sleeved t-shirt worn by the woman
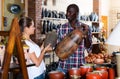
(35,71)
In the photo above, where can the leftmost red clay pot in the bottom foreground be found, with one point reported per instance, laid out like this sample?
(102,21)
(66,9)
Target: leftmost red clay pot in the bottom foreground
(56,75)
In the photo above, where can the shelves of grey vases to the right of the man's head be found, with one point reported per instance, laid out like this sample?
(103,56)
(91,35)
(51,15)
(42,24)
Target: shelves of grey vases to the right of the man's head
(94,23)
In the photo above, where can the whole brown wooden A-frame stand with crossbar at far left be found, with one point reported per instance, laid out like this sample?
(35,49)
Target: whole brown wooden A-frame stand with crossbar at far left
(14,38)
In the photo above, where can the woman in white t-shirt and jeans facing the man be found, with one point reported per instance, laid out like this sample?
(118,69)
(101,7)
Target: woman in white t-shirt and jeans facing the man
(36,53)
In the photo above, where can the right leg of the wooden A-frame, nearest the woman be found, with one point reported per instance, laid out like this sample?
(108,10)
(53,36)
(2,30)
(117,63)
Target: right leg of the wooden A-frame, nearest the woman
(21,53)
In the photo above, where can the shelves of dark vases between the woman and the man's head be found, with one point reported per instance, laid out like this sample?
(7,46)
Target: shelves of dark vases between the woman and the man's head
(51,19)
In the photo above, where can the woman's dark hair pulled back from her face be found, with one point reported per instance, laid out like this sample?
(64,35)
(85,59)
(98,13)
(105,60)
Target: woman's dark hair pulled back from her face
(25,22)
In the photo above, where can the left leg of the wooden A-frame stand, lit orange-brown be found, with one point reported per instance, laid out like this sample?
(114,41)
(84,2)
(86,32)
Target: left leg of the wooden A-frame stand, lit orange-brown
(9,51)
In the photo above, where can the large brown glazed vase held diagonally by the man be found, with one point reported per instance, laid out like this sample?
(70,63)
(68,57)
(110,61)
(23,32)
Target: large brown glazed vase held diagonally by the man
(70,43)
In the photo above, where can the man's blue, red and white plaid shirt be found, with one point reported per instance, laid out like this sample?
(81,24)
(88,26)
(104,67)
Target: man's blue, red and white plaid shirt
(77,58)
